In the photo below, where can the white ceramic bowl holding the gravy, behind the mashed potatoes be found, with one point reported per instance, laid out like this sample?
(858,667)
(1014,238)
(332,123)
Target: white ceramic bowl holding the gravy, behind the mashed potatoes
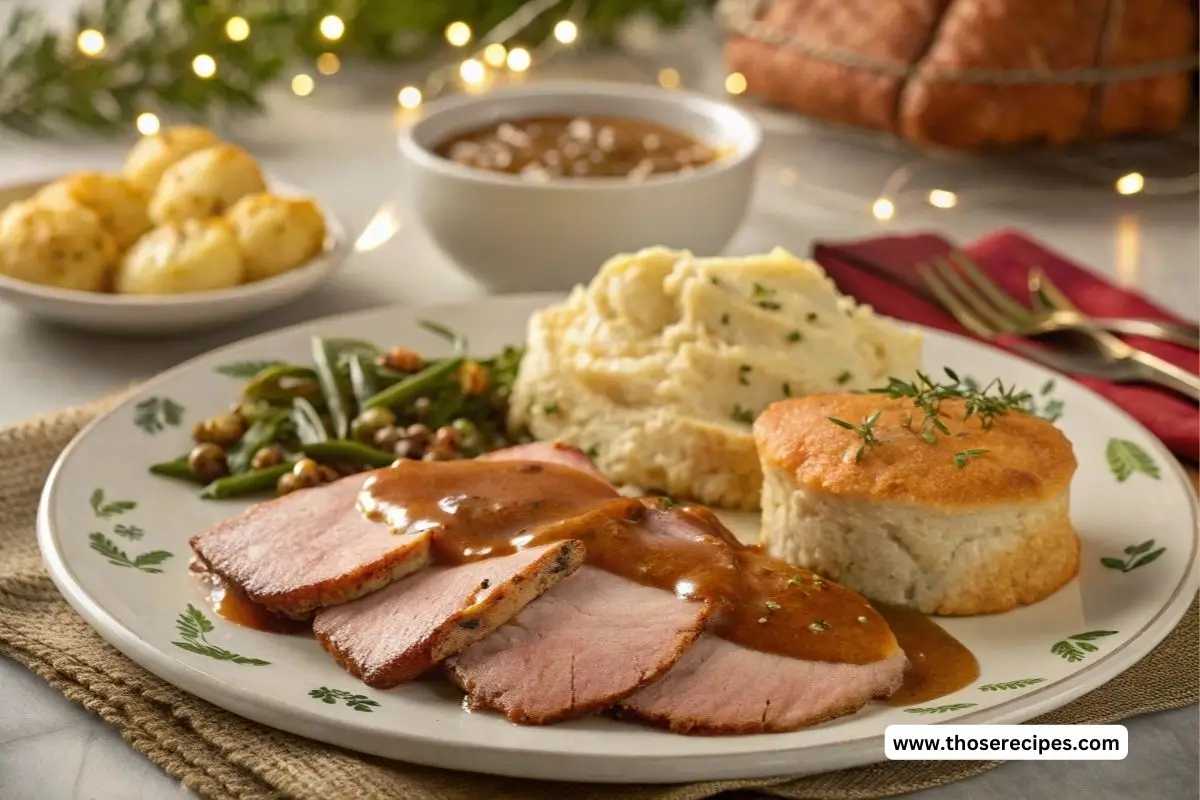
(517,236)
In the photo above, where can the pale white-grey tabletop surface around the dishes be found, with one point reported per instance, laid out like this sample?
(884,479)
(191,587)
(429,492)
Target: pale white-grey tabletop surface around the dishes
(340,145)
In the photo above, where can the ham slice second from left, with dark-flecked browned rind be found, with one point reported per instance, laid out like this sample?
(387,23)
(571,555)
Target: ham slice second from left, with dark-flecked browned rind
(399,633)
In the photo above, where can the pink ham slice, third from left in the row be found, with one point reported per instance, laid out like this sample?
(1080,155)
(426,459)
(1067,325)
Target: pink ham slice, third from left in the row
(587,643)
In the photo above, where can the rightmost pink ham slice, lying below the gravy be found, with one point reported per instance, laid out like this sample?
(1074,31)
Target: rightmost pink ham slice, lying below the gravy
(721,688)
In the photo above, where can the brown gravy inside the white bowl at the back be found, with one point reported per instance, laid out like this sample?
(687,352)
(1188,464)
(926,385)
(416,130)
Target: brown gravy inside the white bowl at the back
(543,148)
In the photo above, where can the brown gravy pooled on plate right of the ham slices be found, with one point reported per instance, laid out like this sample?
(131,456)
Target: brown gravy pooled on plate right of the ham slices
(940,664)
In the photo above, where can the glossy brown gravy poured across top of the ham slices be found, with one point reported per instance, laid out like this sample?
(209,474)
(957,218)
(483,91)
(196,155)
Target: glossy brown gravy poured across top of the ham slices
(475,510)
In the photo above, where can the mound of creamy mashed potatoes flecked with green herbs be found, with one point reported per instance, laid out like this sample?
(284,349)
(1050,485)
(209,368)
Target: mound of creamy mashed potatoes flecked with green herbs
(659,368)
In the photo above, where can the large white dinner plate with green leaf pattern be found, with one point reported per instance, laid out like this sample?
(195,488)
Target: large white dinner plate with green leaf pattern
(1131,502)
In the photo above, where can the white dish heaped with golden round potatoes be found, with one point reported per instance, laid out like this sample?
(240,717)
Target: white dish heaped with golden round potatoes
(189,234)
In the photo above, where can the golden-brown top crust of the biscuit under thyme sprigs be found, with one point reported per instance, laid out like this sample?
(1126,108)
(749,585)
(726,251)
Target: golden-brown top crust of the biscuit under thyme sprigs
(1018,459)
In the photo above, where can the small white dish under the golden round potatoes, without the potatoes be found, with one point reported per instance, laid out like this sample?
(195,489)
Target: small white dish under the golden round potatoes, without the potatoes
(169,315)
